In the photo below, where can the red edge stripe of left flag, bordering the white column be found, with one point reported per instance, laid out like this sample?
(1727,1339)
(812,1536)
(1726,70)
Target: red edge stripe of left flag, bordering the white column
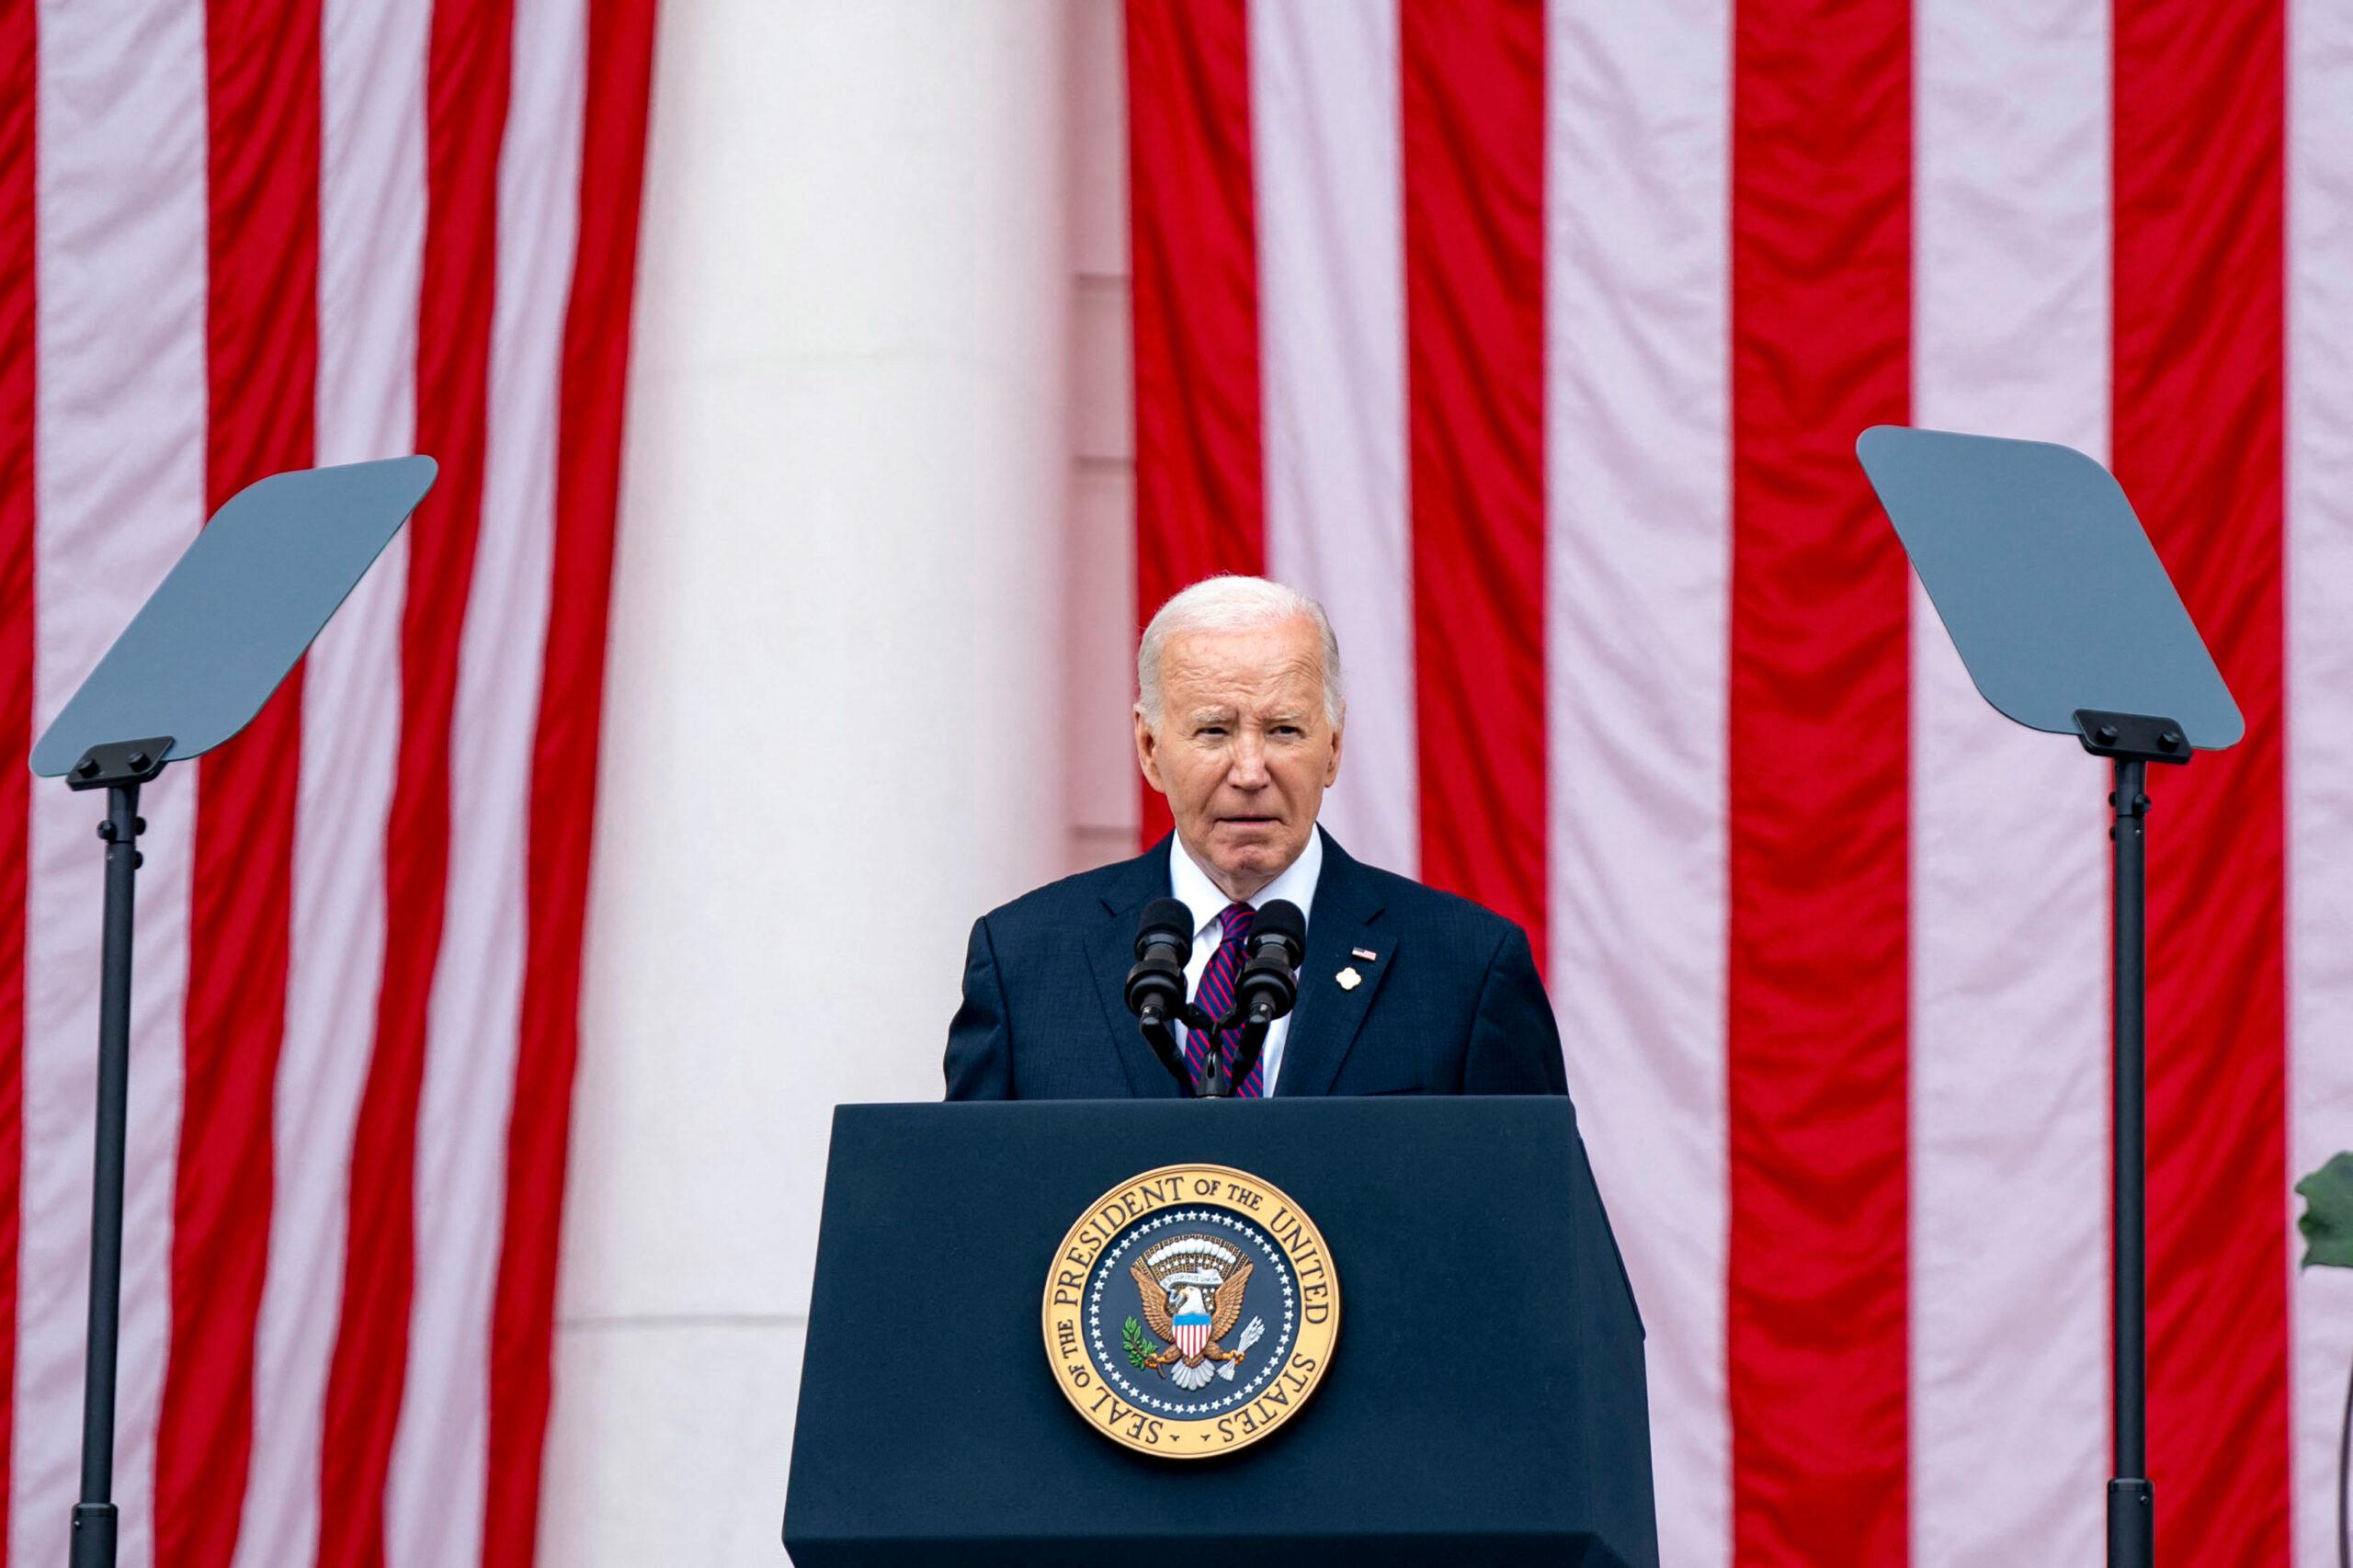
(564,766)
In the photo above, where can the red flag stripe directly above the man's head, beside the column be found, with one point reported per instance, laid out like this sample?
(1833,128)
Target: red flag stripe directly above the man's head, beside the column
(1197,305)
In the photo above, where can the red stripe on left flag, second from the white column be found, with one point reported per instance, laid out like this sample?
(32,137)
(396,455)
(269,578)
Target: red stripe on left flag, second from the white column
(467,95)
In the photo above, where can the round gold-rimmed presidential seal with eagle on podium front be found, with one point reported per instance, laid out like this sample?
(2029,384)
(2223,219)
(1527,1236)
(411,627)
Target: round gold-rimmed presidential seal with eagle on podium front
(1192,1313)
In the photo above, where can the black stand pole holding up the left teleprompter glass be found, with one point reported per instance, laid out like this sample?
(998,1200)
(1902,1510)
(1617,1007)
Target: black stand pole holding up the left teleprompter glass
(119,771)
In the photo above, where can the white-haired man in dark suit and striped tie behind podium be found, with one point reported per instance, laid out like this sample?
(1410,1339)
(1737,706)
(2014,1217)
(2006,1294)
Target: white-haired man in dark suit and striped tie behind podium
(1401,990)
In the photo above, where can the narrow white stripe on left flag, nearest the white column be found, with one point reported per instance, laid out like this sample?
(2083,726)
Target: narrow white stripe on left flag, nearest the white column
(439,1473)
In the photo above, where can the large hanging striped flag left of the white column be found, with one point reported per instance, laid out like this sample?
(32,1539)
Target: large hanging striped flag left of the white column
(236,239)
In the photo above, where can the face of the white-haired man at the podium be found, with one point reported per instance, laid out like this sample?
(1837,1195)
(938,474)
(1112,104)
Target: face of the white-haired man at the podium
(1244,750)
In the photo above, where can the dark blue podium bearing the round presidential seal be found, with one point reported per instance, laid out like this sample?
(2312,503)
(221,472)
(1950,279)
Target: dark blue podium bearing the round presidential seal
(1481,1400)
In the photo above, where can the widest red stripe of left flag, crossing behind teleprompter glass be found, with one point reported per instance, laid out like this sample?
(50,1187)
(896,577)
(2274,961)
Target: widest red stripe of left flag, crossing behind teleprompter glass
(262,385)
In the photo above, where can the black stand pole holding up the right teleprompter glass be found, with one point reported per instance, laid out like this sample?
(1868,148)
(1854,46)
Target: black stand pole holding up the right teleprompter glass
(2131,743)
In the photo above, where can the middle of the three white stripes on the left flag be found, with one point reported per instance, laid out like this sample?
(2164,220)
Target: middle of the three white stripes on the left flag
(373,197)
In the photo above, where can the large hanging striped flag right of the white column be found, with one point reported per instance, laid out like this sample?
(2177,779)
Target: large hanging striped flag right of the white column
(1535,343)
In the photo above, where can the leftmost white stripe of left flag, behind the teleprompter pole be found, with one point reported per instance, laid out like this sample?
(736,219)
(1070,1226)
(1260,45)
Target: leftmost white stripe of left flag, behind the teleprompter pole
(121,493)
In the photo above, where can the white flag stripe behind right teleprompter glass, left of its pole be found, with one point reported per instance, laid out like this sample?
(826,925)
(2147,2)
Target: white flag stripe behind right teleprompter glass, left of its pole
(2011,884)
